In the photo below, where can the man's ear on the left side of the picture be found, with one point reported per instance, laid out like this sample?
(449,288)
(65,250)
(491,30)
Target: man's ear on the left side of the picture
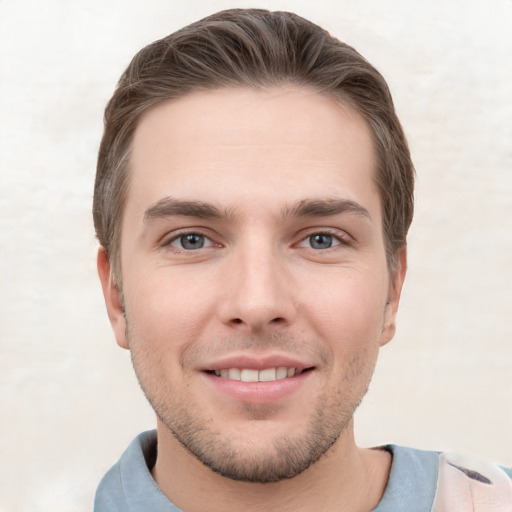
(113,299)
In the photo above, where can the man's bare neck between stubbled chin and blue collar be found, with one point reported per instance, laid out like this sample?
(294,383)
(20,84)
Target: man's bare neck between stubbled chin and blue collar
(346,478)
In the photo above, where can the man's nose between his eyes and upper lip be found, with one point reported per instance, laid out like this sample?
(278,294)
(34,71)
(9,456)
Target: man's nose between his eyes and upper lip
(257,291)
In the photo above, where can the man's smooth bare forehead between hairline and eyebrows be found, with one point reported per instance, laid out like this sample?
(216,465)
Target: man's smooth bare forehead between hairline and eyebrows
(243,146)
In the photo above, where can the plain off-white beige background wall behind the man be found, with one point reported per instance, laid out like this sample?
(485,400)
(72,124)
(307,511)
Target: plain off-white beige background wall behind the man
(69,403)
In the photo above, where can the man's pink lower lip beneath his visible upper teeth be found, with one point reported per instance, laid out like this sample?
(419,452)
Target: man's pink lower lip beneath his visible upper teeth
(258,392)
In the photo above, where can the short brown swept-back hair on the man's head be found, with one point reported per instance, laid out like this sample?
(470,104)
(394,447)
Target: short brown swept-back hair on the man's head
(251,48)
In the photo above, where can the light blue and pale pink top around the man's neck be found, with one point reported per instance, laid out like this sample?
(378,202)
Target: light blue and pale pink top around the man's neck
(413,486)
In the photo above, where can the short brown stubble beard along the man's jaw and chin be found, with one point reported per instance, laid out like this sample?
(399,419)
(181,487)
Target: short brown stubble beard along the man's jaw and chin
(242,459)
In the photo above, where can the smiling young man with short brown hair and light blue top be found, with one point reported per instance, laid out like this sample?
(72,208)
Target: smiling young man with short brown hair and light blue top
(252,201)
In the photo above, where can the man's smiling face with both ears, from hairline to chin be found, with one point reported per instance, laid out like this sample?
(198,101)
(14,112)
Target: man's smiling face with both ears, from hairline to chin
(255,287)
